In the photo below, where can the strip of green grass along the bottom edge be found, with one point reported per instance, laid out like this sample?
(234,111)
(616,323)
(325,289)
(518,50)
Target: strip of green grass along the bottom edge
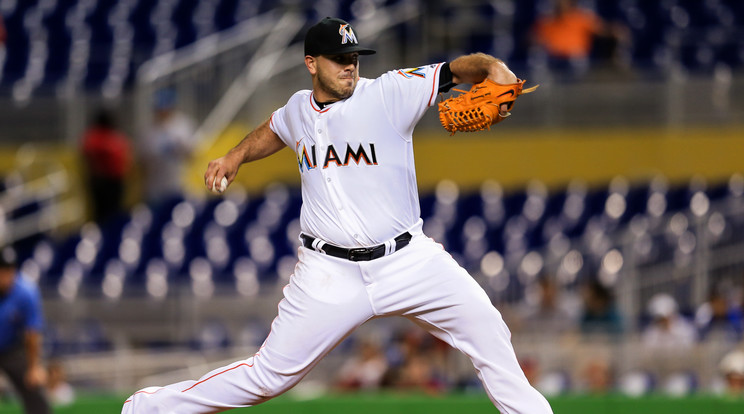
(453,404)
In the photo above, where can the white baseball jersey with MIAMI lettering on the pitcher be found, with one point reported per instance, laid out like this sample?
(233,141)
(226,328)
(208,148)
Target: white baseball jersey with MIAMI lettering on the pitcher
(356,156)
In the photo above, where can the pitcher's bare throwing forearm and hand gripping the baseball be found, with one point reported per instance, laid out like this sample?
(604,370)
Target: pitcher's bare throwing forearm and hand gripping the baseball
(258,144)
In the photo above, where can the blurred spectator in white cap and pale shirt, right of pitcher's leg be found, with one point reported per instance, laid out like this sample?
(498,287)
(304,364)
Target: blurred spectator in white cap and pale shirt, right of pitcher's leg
(668,330)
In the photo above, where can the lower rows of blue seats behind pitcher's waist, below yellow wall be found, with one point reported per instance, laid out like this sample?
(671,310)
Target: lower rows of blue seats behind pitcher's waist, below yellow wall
(248,241)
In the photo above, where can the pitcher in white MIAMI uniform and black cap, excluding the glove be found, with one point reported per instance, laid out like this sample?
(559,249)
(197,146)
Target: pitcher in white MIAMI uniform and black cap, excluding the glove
(363,252)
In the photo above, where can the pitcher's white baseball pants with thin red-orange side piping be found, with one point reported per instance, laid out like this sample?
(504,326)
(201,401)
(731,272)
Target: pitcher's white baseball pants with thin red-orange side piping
(327,298)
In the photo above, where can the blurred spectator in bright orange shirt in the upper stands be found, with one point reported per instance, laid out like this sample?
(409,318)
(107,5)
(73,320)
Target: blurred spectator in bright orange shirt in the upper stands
(569,34)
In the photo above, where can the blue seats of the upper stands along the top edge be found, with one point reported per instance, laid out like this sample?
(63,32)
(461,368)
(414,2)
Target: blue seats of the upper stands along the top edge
(100,44)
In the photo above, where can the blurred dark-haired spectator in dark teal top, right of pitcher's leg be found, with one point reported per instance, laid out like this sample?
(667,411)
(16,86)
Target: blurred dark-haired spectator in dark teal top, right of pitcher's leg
(600,315)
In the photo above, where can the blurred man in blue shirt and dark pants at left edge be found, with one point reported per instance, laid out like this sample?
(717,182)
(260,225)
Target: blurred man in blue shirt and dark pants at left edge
(21,322)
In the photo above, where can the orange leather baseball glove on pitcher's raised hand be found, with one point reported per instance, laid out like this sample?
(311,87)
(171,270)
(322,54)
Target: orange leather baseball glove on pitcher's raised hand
(480,107)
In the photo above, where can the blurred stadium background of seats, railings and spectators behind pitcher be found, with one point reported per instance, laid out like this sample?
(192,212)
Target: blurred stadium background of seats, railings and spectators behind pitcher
(605,219)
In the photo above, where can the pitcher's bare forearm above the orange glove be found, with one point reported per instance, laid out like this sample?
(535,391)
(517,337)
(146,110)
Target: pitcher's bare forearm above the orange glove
(476,67)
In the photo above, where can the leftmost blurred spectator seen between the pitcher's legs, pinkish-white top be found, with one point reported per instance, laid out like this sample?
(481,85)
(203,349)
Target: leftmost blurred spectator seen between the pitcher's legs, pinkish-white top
(363,371)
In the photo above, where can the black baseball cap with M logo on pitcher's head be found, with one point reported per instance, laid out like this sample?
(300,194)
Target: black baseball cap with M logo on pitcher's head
(333,36)
